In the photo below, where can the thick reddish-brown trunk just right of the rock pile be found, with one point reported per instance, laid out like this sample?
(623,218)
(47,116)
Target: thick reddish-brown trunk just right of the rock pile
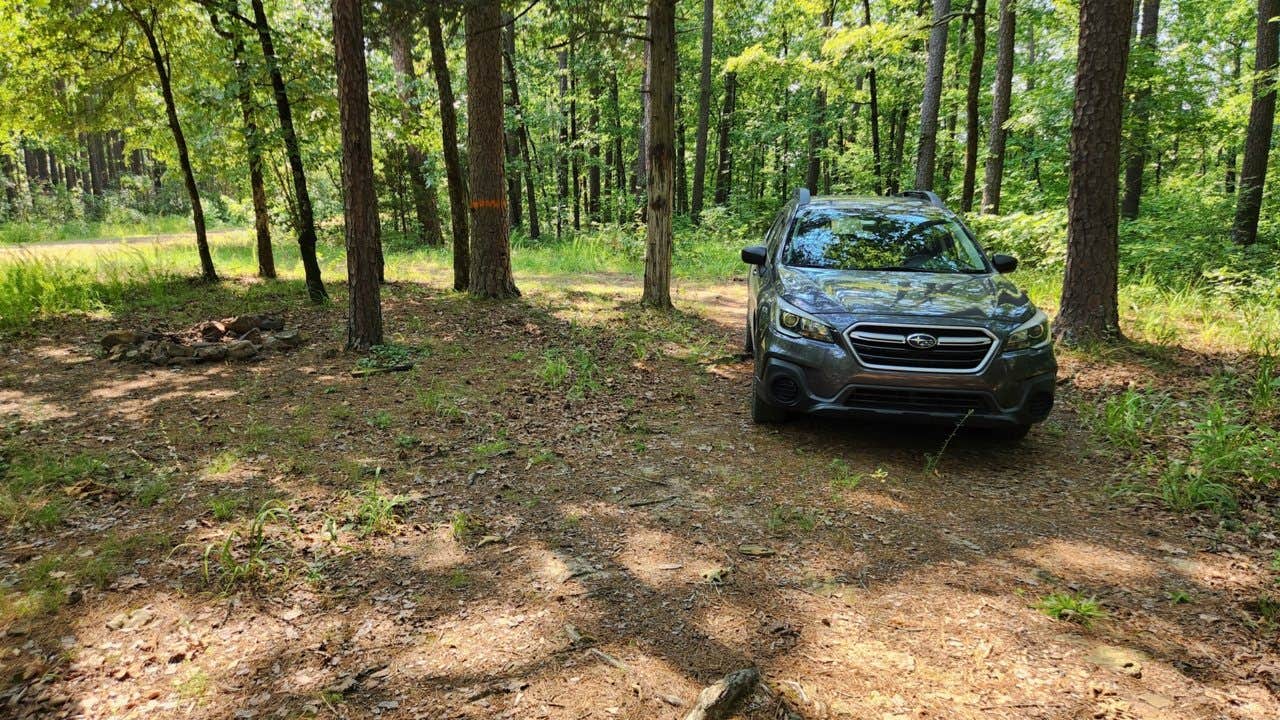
(359,200)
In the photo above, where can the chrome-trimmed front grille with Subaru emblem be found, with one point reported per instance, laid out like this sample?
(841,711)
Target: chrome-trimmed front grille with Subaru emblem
(890,348)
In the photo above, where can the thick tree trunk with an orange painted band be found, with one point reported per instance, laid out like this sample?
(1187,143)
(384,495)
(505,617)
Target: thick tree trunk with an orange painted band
(491,263)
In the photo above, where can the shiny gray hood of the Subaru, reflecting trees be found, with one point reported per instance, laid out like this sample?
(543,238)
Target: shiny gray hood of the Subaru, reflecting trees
(920,295)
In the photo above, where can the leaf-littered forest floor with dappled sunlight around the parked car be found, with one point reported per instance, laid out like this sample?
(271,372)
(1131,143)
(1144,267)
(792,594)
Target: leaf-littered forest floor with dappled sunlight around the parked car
(565,512)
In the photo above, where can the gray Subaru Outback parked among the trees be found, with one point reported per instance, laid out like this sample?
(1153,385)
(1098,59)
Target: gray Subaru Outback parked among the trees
(889,308)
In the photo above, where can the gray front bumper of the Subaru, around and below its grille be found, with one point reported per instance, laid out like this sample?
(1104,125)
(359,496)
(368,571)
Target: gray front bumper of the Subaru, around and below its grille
(808,377)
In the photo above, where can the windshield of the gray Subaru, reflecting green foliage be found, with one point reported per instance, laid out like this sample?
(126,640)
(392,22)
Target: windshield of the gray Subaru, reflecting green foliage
(893,240)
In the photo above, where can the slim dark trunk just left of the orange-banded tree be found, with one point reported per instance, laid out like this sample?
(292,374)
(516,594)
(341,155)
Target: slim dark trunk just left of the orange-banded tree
(452,163)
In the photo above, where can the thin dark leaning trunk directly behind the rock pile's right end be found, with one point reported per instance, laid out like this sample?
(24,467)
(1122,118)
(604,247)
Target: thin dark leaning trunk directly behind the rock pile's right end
(294,151)
